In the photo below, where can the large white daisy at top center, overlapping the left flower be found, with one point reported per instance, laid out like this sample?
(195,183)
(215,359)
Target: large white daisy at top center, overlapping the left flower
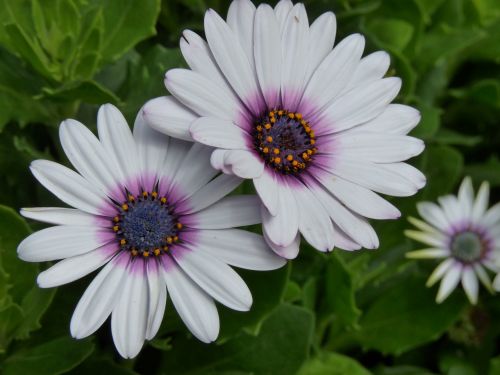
(310,124)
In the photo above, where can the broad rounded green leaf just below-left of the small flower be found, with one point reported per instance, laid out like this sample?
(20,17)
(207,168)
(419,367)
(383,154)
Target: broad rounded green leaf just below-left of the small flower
(406,317)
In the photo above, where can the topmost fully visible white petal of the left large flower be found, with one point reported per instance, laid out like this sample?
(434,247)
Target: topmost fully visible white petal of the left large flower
(117,139)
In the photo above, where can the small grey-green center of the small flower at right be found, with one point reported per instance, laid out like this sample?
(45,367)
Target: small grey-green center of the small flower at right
(468,246)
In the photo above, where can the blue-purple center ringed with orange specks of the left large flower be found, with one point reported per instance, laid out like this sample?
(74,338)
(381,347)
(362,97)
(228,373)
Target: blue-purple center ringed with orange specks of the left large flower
(146,225)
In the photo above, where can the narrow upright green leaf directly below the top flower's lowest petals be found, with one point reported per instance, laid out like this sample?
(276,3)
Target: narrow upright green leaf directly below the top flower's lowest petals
(339,292)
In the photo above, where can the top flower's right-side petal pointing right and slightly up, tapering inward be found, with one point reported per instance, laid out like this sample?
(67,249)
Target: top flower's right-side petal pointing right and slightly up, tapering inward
(395,119)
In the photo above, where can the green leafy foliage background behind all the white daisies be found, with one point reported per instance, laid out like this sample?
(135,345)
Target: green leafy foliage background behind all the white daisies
(343,313)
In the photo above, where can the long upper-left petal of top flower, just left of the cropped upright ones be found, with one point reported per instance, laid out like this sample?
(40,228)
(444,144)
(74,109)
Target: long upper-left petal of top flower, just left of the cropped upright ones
(231,57)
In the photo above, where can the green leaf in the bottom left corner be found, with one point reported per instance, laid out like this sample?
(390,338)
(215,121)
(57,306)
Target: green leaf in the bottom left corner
(51,358)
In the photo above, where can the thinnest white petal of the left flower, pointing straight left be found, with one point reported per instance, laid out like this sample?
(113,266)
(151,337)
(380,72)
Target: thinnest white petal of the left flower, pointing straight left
(60,216)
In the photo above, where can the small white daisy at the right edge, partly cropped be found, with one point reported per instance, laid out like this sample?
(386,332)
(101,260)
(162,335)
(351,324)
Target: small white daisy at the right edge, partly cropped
(465,234)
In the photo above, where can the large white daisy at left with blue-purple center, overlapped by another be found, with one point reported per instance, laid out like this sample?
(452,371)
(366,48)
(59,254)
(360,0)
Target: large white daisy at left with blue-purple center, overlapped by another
(149,210)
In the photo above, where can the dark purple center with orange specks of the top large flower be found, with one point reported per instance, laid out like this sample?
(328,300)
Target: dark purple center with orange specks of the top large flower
(284,140)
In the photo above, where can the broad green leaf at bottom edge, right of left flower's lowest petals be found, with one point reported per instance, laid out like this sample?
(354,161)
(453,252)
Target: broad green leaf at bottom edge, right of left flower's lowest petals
(280,348)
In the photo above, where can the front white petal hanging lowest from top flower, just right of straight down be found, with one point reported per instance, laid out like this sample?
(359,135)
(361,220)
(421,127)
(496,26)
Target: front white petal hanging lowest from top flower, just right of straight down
(314,223)
